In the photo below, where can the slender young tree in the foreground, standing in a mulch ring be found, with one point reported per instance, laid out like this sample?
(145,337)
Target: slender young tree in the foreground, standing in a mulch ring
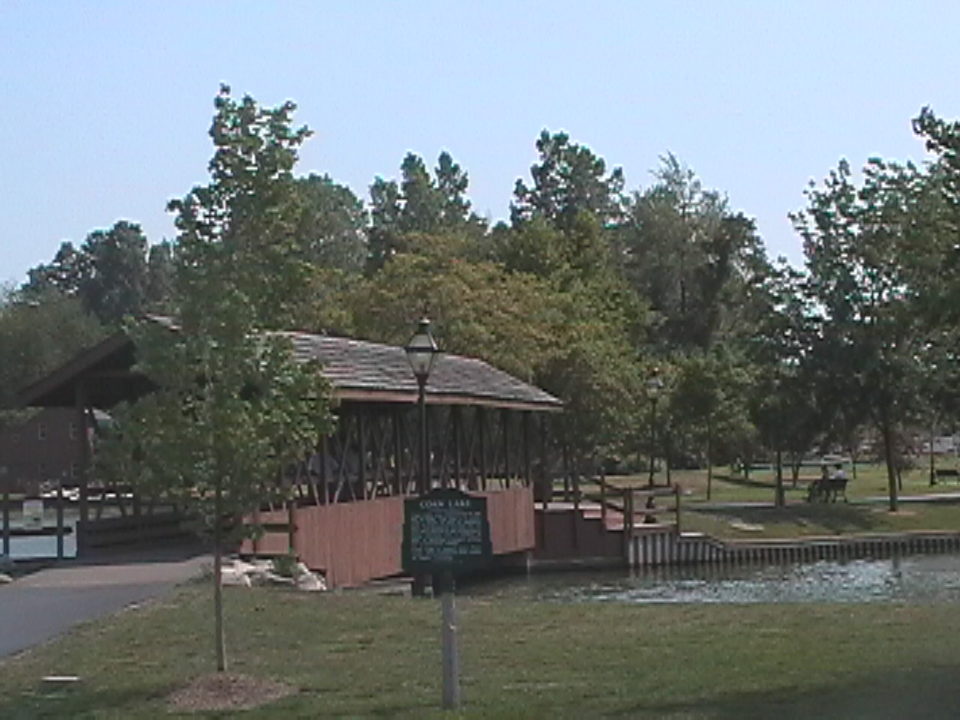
(234,408)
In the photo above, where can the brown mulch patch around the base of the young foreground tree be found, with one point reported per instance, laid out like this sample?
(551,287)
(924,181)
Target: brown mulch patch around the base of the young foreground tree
(228,691)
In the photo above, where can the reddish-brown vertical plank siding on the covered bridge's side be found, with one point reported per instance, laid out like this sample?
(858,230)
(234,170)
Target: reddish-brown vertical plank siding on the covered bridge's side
(359,541)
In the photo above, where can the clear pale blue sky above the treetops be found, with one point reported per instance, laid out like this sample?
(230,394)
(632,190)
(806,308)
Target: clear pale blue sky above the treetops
(106,105)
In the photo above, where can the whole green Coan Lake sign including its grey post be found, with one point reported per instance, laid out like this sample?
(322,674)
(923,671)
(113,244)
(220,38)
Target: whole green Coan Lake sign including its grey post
(444,533)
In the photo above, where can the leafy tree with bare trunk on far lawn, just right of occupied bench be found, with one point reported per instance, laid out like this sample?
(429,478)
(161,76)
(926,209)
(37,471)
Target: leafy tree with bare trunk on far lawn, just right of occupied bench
(864,245)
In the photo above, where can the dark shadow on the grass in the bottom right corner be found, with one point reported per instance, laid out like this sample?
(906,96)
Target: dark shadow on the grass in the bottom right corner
(913,693)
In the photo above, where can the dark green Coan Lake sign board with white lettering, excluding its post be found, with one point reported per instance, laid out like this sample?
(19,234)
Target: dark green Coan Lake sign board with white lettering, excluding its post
(446,530)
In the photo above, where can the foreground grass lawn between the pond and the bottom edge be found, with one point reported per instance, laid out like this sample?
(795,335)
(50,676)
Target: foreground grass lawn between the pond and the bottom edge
(367,655)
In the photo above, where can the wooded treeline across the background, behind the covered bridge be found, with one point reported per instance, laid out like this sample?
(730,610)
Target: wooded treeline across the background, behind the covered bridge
(590,290)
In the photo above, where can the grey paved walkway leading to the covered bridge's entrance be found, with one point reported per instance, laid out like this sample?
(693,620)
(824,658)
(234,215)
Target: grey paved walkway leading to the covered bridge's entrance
(44,604)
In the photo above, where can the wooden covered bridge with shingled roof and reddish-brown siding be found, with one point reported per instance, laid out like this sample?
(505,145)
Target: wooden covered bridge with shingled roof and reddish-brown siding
(487,433)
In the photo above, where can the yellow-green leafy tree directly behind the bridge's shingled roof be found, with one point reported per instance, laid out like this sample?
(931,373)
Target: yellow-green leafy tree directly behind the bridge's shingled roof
(569,332)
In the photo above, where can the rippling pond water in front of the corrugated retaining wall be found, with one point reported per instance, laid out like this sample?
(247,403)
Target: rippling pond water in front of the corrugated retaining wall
(925,579)
